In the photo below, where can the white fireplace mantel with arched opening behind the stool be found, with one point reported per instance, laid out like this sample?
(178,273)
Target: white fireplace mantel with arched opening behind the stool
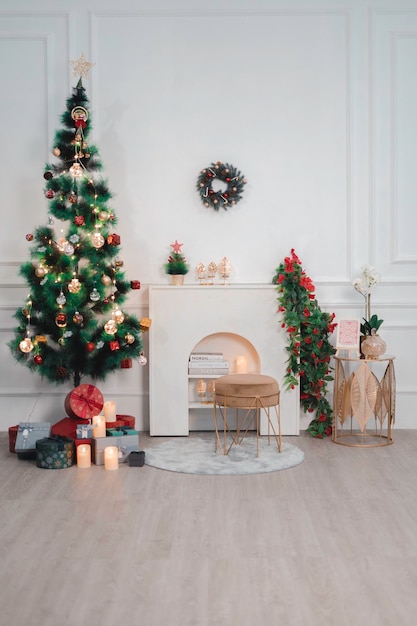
(182,318)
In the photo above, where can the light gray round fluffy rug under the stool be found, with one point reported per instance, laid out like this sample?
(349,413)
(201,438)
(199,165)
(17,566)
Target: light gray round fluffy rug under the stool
(193,455)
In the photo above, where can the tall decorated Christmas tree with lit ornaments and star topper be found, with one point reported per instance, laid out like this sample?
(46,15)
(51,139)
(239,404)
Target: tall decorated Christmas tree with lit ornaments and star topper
(72,324)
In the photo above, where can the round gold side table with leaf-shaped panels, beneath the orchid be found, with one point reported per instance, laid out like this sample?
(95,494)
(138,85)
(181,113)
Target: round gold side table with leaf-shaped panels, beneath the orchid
(364,401)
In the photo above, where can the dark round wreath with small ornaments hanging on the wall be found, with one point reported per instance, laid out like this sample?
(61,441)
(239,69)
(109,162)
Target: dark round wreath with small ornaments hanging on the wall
(229,190)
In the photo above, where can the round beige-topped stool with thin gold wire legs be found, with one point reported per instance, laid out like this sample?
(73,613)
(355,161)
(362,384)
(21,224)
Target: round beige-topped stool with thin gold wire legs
(253,393)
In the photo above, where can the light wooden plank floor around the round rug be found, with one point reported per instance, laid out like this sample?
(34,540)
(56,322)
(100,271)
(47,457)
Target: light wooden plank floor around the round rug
(330,542)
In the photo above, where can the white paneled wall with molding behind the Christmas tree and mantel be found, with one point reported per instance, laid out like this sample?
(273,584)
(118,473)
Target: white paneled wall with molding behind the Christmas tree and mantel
(313,101)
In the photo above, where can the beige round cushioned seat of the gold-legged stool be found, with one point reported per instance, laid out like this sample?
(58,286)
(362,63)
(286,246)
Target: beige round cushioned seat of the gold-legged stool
(240,390)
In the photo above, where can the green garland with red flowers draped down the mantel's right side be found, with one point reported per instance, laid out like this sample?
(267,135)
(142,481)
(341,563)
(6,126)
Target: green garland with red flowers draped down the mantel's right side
(309,349)
